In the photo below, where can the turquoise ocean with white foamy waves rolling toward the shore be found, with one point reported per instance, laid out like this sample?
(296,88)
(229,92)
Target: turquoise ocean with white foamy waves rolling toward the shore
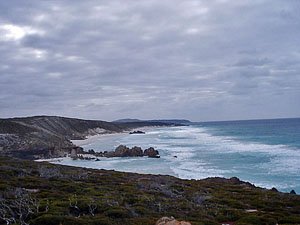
(263,152)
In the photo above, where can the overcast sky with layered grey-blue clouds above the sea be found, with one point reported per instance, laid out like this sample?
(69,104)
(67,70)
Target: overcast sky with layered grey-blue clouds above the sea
(150,59)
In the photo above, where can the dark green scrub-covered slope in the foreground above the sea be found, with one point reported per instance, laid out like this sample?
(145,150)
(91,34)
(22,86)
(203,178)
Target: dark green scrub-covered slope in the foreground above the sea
(53,194)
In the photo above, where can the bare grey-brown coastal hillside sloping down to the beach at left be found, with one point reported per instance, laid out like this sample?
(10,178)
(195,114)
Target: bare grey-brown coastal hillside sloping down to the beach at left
(44,133)
